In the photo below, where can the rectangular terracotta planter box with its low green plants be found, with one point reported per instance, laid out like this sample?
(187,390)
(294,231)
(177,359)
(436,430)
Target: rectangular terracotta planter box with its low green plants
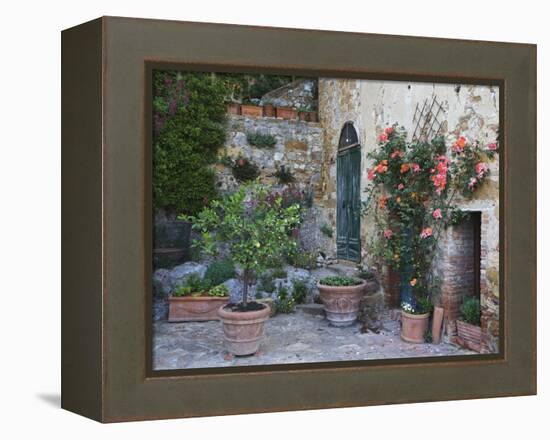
(196,301)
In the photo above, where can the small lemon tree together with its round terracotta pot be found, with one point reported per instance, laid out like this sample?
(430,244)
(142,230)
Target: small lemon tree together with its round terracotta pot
(254,228)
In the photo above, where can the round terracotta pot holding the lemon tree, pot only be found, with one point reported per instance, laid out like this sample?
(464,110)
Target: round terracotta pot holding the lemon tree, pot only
(243,331)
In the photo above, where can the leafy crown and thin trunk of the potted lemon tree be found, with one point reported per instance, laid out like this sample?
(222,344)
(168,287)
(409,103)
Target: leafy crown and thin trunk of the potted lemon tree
(254,227)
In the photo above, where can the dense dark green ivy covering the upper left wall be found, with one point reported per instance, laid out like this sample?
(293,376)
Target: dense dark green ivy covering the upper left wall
(189,127)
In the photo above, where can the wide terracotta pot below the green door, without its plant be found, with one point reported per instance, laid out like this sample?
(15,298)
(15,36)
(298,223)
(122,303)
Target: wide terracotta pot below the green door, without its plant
(341,302)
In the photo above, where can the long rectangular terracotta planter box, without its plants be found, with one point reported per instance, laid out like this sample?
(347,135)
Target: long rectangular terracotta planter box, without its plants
(200,308)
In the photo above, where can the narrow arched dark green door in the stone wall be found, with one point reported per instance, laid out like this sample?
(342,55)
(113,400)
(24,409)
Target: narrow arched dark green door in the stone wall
(348,196)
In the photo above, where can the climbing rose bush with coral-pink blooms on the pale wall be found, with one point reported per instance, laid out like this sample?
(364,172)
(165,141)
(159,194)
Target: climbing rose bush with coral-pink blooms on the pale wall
(412,188)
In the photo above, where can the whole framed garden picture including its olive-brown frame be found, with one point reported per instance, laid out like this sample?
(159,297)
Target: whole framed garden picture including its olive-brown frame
(377,193)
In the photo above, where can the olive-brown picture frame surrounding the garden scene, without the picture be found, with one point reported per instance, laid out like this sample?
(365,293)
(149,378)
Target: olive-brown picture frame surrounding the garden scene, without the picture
(107,211)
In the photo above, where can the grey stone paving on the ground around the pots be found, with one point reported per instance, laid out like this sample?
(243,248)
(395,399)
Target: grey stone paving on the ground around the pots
(293,338)
